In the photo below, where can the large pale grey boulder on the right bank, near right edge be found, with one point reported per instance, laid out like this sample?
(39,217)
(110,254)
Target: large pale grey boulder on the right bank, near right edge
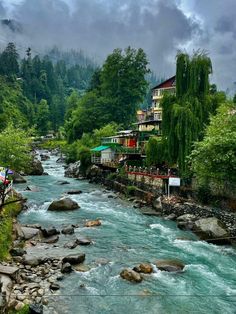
(210,229)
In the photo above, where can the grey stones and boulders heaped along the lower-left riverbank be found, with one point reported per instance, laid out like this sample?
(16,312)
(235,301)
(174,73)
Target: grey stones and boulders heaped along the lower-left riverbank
(33,279)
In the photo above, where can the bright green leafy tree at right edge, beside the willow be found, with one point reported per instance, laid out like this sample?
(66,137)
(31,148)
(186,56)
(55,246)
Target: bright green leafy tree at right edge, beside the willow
(214,158)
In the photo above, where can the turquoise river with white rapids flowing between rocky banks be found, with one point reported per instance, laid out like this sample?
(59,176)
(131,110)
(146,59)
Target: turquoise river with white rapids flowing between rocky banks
(125,239)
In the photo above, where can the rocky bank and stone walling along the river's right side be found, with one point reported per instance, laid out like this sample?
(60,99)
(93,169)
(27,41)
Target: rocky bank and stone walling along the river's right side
(211,224)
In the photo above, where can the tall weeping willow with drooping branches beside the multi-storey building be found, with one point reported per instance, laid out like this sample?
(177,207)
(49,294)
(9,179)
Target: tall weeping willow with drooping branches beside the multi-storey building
(185,115)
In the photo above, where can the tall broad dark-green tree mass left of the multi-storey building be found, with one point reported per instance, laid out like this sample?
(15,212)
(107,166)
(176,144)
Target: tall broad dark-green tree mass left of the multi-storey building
(114,94)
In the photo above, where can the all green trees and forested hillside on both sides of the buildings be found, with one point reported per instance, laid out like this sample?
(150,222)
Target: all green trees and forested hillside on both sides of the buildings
(68,95)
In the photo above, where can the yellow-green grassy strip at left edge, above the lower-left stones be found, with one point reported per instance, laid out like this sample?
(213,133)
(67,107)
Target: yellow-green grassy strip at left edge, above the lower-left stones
(6,224)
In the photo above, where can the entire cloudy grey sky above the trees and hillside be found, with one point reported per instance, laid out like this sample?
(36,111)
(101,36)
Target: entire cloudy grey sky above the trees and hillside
(160,27)
